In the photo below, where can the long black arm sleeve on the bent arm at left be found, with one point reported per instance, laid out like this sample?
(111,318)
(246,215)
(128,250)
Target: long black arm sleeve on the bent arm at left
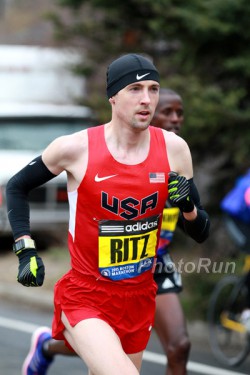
(17,190)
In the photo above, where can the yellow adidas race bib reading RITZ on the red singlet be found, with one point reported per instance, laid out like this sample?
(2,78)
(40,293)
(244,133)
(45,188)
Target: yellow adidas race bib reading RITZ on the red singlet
(127,248)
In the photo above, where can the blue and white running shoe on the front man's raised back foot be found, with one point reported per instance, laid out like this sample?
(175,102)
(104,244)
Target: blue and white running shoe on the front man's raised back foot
(35,362)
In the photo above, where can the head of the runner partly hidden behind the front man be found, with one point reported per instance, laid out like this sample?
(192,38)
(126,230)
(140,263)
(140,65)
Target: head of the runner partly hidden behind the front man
(169,114)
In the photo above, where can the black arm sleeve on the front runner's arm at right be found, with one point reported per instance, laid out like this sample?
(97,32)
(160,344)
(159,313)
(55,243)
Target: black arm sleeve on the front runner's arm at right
(197,229)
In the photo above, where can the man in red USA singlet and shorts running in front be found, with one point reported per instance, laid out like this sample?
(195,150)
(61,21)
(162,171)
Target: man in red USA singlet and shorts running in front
(117,187)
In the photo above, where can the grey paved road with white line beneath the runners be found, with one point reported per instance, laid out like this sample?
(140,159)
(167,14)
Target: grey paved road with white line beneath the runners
(17,323)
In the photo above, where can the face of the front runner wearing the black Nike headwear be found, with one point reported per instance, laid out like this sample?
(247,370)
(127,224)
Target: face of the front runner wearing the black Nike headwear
(136,103)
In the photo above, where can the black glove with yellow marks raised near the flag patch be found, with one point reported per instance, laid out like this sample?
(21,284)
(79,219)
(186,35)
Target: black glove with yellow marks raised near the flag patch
(179,190)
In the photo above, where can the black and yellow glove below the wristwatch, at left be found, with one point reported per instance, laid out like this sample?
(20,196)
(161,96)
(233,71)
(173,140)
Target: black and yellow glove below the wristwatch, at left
(31,269)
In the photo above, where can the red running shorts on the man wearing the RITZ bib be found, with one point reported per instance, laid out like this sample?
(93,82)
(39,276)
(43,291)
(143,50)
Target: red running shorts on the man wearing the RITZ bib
(129,310)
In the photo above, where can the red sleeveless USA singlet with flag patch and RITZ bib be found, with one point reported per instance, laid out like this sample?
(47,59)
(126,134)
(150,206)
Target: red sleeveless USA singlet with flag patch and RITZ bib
(116,212)
